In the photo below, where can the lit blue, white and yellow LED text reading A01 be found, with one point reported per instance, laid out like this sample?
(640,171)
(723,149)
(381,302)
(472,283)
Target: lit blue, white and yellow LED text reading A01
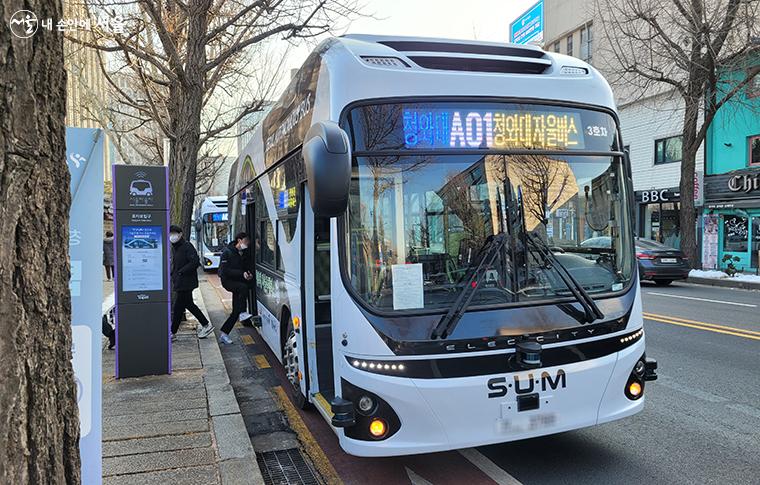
(495,129)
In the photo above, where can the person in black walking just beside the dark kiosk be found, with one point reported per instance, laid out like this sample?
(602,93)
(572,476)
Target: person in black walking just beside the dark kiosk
(184,274)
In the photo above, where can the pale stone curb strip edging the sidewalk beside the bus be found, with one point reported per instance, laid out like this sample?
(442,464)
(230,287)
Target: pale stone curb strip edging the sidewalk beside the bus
(237,460)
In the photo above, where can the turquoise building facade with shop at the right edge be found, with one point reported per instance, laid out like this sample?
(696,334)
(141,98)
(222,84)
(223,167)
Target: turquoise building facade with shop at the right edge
(731,218)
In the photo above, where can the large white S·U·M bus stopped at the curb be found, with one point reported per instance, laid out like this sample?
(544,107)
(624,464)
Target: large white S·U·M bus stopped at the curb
(418,208)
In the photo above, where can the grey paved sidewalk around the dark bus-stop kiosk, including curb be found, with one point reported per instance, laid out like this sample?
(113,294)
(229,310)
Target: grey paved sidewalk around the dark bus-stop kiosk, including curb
(183,428)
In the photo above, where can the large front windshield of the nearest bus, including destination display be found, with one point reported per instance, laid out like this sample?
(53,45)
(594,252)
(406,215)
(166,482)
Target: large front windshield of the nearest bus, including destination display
(426,202)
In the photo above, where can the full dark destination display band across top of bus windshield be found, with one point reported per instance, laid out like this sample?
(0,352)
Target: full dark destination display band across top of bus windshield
(480,126)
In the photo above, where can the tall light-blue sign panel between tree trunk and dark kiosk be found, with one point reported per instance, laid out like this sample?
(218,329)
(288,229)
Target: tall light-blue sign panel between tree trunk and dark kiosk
(84,156)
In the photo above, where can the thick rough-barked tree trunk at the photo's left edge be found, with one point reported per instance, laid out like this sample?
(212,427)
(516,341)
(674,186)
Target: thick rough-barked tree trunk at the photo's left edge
(39,429)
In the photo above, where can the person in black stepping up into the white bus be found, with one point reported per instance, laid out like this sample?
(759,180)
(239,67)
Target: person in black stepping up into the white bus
(236,279)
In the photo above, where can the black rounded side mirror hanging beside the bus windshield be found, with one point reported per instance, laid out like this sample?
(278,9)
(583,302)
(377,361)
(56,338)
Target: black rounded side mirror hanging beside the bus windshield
(327,159)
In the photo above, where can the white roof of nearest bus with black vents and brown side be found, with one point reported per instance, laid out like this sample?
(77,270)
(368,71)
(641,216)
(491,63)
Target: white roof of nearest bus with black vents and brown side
(355,67)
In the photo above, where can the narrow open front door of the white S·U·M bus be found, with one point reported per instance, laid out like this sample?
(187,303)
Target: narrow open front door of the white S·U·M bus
(317,301)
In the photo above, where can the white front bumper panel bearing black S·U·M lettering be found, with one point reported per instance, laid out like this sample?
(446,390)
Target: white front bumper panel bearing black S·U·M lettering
(444,414)
